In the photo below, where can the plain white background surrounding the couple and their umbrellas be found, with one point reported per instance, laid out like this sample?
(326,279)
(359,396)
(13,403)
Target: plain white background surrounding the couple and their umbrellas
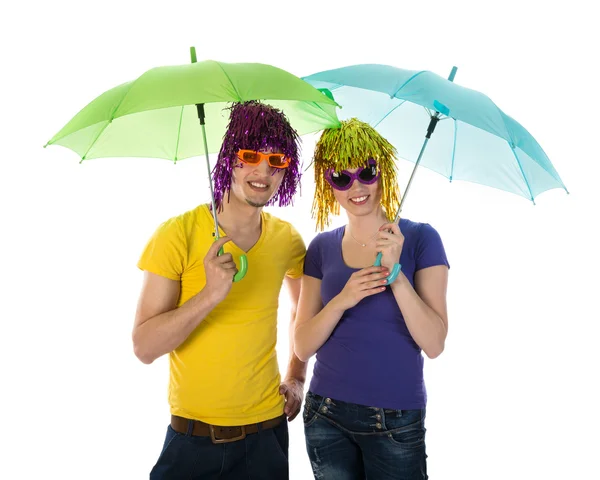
(514,394)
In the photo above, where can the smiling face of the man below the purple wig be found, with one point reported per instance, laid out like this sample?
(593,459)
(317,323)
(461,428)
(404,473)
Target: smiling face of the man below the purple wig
(256,184)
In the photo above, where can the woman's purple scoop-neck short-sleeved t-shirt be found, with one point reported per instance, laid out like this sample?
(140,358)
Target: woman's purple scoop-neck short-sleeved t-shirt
(371,358)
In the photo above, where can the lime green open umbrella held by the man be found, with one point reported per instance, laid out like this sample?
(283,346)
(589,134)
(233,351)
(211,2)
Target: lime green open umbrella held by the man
(158,114)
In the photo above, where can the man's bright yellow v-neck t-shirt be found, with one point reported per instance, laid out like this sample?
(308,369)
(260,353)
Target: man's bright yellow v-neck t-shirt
(226,372)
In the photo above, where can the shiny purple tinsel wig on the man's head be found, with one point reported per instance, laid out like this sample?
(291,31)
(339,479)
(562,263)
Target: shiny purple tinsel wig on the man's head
(256,126)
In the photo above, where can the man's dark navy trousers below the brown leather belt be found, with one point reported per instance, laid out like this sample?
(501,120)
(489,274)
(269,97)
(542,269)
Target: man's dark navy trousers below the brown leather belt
(259,456)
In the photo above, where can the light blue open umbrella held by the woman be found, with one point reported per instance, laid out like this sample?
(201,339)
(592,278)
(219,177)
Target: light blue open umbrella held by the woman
(474,140)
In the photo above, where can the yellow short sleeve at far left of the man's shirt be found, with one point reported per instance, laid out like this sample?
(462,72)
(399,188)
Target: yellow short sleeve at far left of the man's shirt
(165,252)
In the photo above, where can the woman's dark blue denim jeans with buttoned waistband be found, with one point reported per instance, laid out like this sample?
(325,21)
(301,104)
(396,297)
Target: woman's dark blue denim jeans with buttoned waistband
(346,441)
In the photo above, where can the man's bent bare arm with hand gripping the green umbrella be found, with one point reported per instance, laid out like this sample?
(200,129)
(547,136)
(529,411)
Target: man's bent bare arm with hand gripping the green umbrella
(160,327)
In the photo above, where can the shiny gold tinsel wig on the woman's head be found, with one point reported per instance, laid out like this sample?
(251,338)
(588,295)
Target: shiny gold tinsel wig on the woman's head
(351,146)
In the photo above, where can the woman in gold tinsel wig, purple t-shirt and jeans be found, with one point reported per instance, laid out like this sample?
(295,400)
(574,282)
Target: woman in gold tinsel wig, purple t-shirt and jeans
(365,409)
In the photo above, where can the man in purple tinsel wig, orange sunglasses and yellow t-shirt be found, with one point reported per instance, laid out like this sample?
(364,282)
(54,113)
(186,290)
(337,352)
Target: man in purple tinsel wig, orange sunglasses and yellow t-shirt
(228,405)
